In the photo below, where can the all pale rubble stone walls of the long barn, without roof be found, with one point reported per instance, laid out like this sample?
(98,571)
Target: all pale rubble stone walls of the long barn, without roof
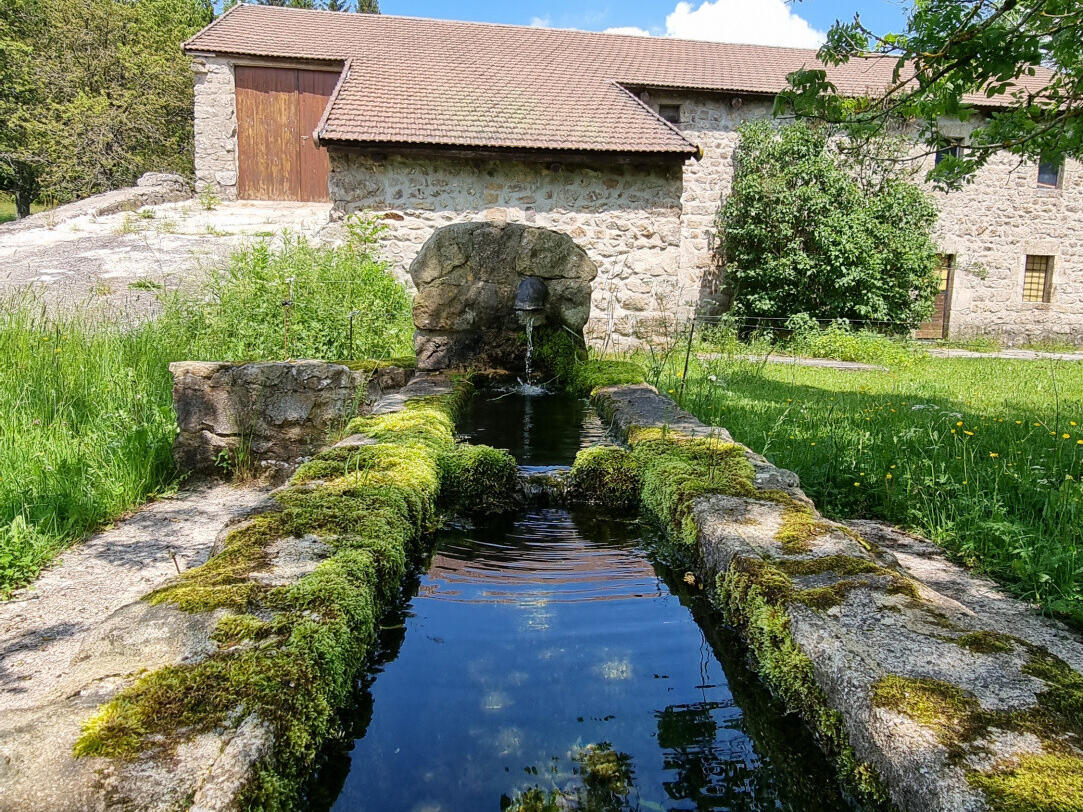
(650,229)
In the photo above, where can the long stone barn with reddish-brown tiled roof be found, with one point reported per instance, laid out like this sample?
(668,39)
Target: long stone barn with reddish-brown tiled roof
(623,143)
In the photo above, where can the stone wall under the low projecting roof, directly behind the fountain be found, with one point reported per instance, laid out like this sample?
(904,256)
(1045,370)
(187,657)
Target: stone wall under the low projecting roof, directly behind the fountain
(628,219)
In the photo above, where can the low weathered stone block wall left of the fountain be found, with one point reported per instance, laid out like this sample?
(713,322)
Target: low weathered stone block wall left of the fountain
(269,413)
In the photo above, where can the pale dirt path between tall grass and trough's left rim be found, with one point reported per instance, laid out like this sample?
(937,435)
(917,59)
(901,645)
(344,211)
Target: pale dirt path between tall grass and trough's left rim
(44,627)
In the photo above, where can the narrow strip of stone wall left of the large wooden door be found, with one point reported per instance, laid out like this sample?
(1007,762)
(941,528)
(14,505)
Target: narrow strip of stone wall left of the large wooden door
(216,126)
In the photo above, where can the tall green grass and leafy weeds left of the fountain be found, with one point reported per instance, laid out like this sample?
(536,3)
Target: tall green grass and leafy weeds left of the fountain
(87,422)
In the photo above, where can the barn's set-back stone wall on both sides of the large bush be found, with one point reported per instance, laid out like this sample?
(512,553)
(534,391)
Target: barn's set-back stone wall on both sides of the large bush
(991,226)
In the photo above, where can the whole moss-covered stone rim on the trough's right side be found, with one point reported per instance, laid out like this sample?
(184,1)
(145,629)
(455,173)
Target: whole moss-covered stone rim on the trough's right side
(933,690)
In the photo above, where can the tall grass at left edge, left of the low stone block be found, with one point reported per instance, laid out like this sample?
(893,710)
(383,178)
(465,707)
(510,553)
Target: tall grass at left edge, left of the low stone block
(86,426)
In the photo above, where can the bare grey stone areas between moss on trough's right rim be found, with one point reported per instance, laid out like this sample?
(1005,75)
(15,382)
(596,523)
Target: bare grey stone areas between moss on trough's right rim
(873,634)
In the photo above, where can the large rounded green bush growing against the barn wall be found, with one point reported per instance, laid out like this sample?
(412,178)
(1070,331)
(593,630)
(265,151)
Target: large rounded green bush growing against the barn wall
(803,238)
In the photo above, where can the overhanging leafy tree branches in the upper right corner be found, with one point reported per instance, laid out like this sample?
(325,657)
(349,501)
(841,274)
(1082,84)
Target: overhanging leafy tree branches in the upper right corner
(1024,53)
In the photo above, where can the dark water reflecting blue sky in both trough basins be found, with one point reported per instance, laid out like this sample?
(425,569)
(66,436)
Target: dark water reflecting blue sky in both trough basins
(534,639)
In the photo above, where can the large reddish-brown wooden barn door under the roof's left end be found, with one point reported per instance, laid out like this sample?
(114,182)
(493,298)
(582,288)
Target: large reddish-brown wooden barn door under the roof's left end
(278,110)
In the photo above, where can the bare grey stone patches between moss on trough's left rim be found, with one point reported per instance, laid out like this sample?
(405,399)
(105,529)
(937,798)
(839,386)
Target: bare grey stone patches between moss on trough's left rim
(208,771)
